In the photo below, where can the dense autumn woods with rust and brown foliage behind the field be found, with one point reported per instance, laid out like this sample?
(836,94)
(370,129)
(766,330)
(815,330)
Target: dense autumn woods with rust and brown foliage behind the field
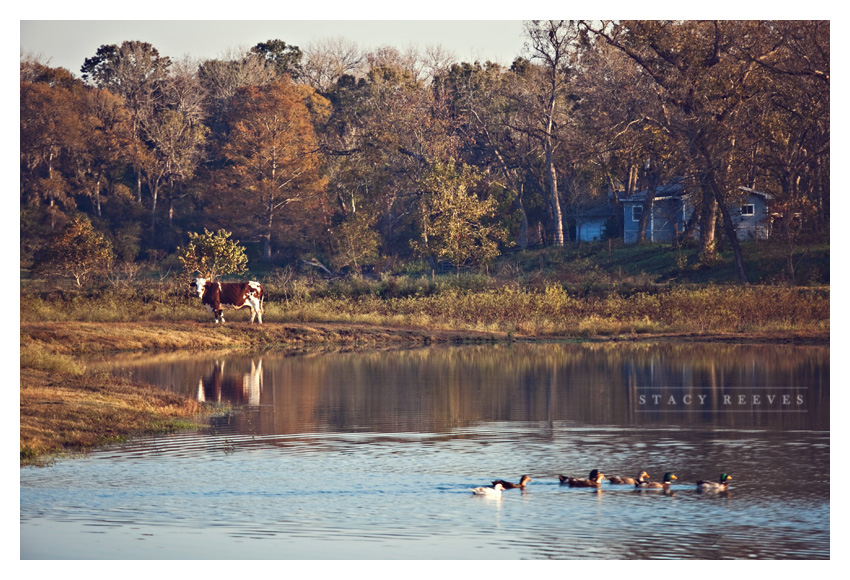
(365,159)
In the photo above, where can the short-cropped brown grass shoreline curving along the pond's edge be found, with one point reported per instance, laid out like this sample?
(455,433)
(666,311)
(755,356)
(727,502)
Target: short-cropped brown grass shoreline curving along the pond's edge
(65,412)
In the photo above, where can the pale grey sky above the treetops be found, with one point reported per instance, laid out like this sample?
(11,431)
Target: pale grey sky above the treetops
(67,43)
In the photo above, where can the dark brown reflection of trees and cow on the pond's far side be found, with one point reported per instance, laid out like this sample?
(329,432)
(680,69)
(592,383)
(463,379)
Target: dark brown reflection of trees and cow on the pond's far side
(436,389)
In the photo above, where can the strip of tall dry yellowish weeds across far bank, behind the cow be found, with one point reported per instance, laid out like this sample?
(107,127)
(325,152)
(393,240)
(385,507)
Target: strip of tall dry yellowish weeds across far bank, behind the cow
(467,304)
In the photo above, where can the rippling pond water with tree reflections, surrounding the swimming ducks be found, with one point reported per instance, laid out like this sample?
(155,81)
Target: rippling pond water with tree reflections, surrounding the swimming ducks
(371,455)
